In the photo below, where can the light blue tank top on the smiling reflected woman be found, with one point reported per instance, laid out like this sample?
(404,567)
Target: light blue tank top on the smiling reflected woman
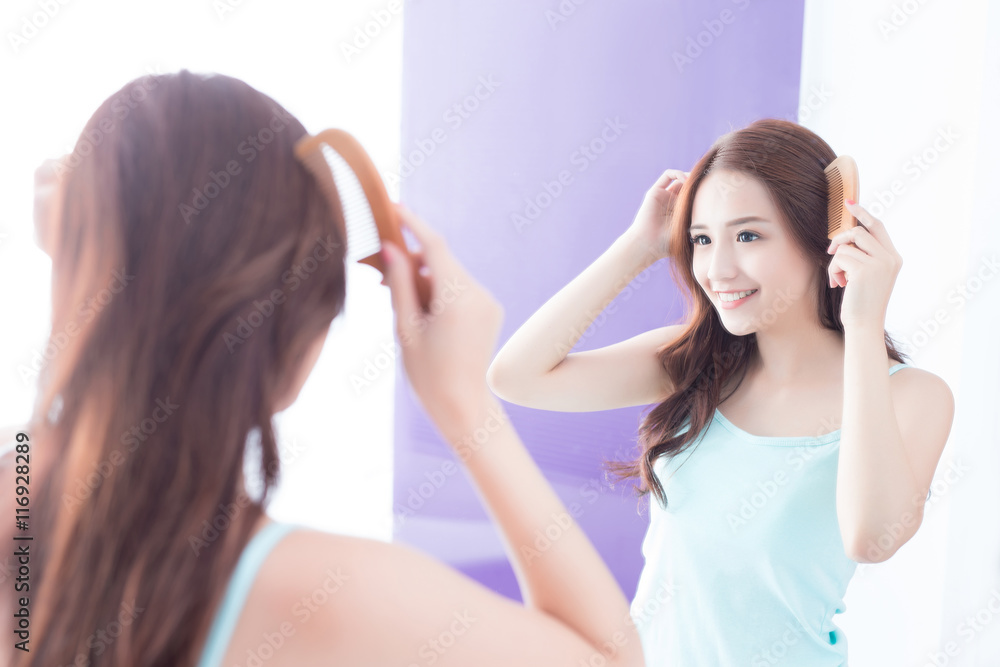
(746,565)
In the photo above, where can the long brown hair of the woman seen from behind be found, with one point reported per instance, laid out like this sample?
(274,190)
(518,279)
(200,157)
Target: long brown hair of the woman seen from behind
(194,263)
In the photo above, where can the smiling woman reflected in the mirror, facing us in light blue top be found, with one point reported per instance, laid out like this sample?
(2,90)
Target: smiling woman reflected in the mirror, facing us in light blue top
(765,506)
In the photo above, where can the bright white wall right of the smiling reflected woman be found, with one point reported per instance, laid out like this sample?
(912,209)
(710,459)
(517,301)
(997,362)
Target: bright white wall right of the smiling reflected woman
(906,79)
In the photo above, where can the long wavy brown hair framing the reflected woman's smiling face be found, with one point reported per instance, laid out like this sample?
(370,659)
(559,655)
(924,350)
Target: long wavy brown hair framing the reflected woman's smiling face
(788,160)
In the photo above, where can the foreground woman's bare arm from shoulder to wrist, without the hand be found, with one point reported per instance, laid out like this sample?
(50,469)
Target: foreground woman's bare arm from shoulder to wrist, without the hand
(400,606)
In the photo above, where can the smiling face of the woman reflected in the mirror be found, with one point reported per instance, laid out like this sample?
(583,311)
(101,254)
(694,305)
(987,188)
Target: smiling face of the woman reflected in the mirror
(754,254)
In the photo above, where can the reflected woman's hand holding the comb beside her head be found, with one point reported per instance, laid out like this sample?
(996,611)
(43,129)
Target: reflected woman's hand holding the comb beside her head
(865,263)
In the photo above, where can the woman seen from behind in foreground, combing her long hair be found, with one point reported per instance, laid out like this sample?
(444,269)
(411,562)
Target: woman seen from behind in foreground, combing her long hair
(184,213)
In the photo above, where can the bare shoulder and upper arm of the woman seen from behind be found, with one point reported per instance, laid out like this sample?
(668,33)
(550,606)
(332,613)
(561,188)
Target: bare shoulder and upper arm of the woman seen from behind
(363,601)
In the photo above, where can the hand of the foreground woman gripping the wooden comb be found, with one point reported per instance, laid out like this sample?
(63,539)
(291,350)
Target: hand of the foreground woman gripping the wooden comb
(447,351)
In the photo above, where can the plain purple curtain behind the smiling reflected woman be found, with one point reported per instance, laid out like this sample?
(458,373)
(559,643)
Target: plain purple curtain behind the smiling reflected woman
(530,134)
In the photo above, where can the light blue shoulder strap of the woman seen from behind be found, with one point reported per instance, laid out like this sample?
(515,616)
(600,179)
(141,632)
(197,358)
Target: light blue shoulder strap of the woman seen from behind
(253,556)
